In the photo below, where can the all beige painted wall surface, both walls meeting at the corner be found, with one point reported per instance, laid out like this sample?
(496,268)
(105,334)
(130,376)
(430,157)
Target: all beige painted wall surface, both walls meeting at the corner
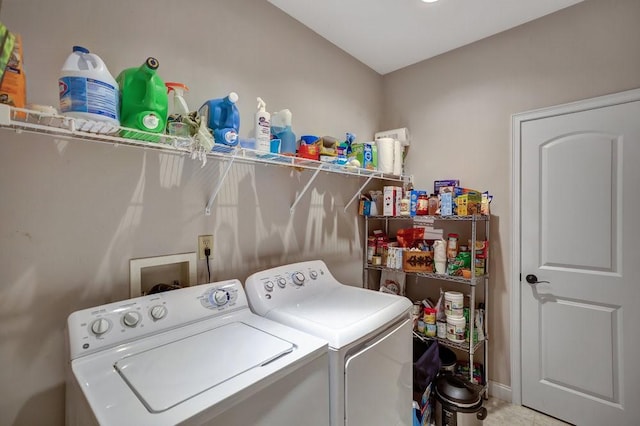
(74,213)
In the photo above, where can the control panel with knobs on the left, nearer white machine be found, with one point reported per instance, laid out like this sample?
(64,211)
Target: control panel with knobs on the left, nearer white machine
(116,323)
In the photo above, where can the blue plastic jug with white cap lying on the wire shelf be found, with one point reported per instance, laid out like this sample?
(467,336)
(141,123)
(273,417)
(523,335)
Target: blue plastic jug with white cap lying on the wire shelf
(223,119)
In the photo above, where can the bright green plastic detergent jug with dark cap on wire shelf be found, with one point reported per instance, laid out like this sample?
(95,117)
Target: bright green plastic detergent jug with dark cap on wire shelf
(144,103)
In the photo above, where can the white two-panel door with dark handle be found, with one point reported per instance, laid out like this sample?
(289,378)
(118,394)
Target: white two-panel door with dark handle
(580,236)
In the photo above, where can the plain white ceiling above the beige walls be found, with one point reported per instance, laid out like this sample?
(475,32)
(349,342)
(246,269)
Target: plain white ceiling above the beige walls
(388,35)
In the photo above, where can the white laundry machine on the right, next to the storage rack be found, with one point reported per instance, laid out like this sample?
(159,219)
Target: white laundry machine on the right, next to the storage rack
(369,335)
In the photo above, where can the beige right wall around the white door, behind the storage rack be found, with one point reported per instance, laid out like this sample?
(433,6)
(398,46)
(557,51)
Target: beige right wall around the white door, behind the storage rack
(458,107)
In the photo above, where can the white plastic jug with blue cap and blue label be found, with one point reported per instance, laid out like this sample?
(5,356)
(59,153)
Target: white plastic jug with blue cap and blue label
(87,89)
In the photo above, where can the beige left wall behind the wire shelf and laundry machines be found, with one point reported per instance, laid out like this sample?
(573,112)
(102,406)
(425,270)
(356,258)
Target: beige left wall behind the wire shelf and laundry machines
(73,213)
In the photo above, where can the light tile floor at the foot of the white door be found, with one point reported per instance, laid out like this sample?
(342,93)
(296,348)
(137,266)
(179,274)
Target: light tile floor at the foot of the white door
(502,413)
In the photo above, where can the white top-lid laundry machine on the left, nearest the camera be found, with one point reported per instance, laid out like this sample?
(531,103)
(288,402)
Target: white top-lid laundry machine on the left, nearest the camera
(196,355)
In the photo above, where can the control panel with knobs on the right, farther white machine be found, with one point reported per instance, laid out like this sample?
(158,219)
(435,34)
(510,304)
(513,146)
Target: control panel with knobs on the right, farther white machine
(287,284)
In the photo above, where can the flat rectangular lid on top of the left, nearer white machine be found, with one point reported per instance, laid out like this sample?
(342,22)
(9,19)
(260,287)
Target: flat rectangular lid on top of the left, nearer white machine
(167,375)
